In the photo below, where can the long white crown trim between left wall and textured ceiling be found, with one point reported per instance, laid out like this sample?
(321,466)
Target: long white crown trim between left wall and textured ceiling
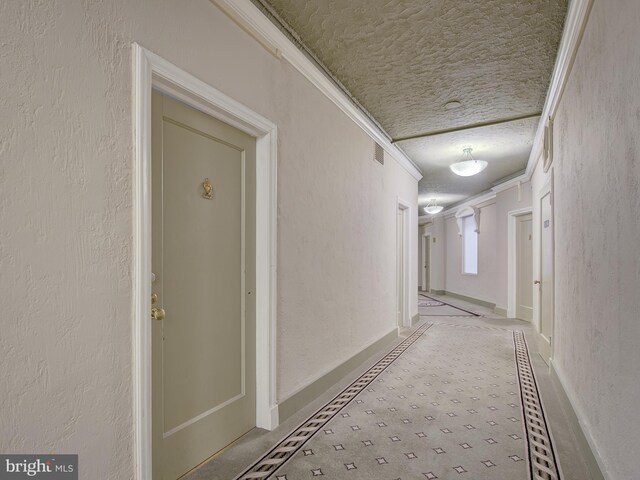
(252,20)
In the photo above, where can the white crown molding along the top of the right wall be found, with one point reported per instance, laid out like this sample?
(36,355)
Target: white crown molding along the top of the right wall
(574,26)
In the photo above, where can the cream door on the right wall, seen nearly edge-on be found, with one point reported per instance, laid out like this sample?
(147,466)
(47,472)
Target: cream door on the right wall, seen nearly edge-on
(546,276)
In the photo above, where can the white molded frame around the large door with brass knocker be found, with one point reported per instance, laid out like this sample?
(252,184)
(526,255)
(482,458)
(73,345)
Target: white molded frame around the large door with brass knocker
(153,72)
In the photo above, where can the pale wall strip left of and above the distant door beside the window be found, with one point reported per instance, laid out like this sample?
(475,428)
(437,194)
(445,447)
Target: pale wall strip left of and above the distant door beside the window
(514,198)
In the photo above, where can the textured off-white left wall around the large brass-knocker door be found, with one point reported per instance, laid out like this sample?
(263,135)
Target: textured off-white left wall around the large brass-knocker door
(66,214)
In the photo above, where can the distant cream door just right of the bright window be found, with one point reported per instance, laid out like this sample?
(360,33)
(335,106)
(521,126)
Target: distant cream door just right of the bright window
(524,267)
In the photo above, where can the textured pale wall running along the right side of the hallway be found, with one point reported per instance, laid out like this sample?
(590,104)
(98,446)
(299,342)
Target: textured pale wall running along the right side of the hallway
(596,173)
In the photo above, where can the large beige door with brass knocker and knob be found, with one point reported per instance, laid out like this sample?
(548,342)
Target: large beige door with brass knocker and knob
(203,261)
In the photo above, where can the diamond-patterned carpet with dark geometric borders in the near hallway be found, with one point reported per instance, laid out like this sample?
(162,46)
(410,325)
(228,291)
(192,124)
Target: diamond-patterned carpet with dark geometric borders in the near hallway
(449,402)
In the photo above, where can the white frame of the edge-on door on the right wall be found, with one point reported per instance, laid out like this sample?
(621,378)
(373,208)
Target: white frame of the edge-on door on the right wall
(545,345)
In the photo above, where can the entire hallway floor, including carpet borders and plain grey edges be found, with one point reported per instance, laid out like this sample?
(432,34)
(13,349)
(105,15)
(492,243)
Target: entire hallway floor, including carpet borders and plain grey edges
(444,402)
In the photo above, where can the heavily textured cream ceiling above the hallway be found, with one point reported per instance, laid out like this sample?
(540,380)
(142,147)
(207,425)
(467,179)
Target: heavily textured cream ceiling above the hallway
(404,59)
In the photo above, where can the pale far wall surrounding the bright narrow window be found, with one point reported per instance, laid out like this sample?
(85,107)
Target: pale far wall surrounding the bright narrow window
(482,285)
